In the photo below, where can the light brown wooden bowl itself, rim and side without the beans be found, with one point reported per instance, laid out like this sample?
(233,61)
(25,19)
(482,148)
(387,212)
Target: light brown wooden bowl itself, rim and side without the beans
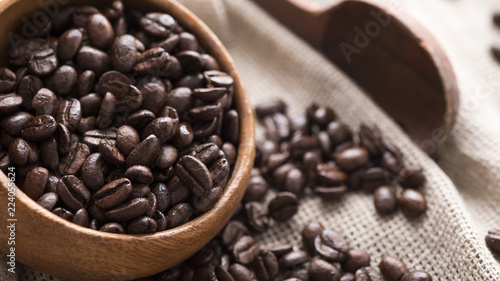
(53,245)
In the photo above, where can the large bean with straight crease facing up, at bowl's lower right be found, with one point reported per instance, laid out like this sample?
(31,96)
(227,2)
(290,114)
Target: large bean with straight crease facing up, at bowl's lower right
(194,174)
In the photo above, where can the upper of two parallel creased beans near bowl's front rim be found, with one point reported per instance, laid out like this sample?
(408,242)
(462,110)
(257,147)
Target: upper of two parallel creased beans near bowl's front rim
(113,194)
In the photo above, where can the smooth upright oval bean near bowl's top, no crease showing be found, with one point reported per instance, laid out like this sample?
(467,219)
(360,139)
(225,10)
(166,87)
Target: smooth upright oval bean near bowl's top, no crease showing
(100,31)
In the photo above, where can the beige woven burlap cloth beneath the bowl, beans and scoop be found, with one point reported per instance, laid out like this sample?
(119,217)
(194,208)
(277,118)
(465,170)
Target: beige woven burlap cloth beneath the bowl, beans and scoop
(463,187)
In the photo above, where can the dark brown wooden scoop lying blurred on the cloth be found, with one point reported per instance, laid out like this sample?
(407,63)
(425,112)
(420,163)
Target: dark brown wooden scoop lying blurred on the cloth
(389,54)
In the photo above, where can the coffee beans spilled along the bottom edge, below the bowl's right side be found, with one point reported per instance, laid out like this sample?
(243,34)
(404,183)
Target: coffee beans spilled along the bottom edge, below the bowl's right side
(325,256)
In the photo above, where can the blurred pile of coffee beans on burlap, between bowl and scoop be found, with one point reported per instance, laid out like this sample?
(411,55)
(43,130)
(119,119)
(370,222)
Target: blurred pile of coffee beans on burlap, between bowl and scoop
(317,152)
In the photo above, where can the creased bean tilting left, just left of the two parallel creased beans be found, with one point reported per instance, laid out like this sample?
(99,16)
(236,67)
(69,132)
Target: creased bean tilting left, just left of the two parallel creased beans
(73,192)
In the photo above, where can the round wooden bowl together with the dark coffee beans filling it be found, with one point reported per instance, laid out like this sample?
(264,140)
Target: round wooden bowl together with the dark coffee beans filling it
(120,118)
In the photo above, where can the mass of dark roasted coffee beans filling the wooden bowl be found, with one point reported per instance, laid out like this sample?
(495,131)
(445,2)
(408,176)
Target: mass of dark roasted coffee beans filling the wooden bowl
(117,121)
